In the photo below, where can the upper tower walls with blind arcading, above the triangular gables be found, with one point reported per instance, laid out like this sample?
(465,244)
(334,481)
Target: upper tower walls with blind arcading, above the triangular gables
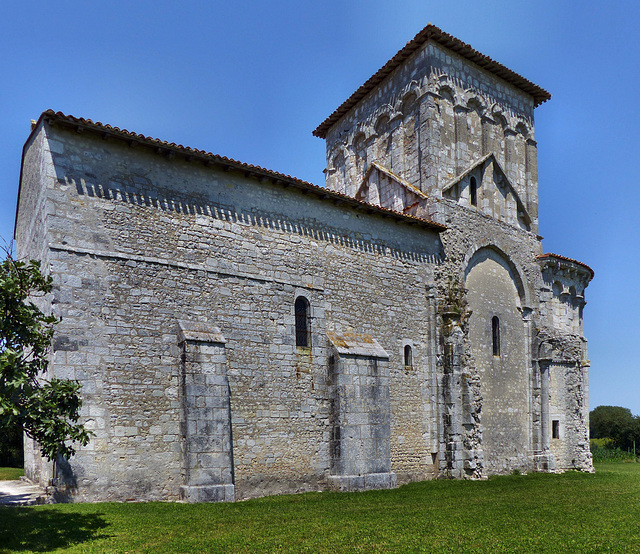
(429,121)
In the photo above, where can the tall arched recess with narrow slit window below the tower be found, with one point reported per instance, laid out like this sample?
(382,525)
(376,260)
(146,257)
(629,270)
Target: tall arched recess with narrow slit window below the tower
(496,294)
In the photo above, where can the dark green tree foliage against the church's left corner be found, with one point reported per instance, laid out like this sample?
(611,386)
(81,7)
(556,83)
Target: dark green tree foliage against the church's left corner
(46,409)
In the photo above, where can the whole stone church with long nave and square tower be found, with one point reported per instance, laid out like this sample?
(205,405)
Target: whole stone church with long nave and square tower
(238,332)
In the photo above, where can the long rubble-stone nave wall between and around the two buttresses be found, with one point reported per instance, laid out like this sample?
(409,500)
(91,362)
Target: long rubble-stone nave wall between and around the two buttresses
(138,241)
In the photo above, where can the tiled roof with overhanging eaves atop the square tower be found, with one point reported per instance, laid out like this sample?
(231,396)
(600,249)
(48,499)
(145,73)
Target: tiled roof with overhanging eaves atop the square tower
(431,32)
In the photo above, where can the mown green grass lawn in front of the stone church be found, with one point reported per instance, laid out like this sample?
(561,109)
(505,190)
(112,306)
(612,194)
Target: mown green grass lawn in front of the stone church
(572,512)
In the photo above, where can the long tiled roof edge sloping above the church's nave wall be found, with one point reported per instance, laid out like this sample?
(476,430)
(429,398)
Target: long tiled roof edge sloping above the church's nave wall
(171,149)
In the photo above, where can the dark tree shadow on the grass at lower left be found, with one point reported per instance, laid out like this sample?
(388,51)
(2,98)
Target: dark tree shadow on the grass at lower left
(43,530)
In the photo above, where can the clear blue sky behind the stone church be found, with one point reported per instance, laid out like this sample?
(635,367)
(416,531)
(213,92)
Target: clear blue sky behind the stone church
(251,80)
